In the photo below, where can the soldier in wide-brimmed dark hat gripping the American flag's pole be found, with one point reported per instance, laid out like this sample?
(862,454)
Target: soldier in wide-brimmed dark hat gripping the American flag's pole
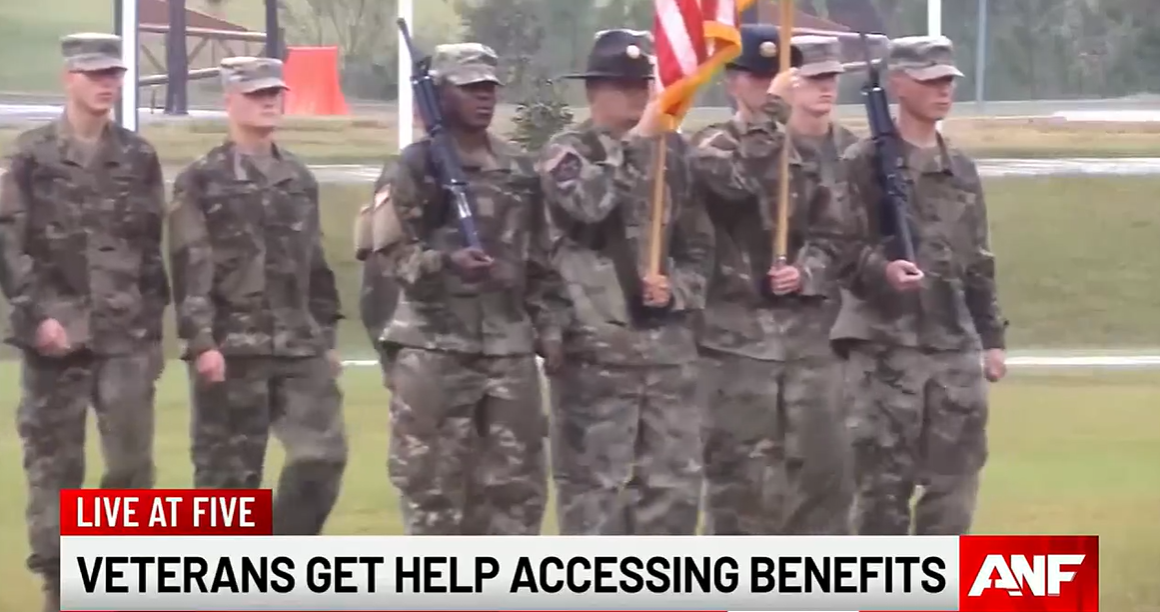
(626,431)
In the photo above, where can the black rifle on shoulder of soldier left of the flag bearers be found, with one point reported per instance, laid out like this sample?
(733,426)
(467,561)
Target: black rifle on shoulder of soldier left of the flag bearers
(444,156)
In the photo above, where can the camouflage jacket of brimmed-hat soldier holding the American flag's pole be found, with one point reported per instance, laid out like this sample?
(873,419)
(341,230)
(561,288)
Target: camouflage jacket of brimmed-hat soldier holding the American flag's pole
(599,200)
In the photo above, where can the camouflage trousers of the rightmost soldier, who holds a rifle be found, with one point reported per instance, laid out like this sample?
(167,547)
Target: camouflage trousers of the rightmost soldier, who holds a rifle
(919,420)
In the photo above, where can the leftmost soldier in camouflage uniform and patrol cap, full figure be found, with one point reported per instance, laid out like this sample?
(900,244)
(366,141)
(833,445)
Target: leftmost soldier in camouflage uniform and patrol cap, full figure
(82,209)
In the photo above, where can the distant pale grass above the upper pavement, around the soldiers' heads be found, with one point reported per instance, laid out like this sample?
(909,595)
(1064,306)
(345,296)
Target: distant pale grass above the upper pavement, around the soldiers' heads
(31,33)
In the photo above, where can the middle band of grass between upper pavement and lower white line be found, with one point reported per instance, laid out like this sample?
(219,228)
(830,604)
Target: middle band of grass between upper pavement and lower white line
(1077,264)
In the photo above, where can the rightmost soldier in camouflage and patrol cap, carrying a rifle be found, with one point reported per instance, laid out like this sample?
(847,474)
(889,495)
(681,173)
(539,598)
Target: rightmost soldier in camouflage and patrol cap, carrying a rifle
(915,331)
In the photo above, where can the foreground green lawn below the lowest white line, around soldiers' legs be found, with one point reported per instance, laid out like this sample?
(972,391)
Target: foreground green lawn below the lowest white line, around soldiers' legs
(1071,454)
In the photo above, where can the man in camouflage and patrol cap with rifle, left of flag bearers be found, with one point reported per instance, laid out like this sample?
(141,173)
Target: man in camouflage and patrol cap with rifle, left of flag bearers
(467,419)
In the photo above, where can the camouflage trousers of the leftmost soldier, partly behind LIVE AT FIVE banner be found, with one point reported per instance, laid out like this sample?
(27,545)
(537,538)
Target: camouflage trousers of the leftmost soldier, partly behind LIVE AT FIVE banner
(54,406)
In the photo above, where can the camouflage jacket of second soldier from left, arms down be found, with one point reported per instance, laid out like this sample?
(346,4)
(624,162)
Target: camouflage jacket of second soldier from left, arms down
(246,253)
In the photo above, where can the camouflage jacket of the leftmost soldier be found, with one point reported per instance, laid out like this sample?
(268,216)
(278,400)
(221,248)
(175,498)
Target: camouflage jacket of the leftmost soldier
(82,242)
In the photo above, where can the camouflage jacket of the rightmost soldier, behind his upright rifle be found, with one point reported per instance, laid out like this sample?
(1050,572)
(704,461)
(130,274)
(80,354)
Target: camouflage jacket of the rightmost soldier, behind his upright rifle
(958,307)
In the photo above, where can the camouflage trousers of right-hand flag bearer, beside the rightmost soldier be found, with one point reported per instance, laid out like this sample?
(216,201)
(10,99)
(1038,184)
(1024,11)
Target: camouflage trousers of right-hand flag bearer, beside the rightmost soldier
(778,458)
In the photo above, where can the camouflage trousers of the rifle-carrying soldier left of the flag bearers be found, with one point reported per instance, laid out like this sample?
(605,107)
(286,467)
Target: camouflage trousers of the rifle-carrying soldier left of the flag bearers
(468,443)
